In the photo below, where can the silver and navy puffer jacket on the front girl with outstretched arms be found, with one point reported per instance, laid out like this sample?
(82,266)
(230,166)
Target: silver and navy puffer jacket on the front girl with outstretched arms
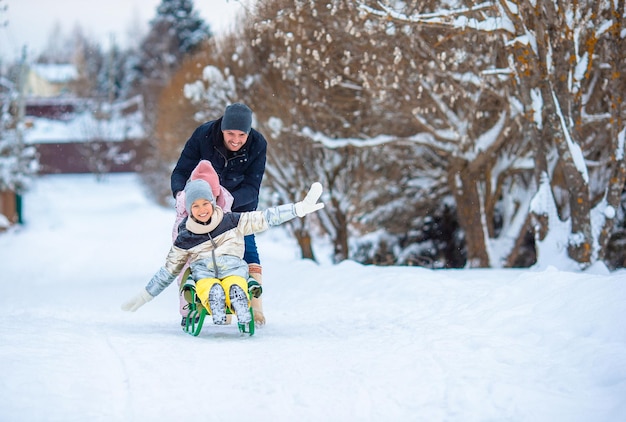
(216,250)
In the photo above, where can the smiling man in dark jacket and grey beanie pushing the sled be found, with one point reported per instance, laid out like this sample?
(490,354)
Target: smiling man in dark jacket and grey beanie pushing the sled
(238,154)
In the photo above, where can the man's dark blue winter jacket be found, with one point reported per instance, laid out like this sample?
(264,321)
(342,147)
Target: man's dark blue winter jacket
(240,172)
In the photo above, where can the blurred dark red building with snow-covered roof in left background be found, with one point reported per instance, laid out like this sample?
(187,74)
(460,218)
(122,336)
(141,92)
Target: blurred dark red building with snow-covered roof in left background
(84,136)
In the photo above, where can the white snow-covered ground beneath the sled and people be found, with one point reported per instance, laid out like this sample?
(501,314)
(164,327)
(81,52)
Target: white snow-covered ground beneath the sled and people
(343,342)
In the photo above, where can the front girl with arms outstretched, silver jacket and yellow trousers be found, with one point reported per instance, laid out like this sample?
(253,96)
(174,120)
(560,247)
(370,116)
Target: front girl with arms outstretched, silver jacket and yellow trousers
(213,242)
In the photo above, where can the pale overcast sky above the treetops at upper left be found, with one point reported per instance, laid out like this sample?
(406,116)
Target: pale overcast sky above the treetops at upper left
(30,22)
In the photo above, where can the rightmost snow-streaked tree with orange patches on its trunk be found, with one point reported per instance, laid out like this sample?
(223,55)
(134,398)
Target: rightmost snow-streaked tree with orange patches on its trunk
(563,57)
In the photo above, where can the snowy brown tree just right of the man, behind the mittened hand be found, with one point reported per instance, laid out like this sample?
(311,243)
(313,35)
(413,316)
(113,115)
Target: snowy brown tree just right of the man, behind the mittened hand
(316,52)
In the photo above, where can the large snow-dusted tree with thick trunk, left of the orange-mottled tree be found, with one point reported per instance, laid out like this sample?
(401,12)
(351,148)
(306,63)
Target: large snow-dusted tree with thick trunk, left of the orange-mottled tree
(424,87)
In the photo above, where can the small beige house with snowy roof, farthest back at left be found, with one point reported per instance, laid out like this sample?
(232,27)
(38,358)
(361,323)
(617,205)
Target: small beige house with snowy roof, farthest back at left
(50,80)
